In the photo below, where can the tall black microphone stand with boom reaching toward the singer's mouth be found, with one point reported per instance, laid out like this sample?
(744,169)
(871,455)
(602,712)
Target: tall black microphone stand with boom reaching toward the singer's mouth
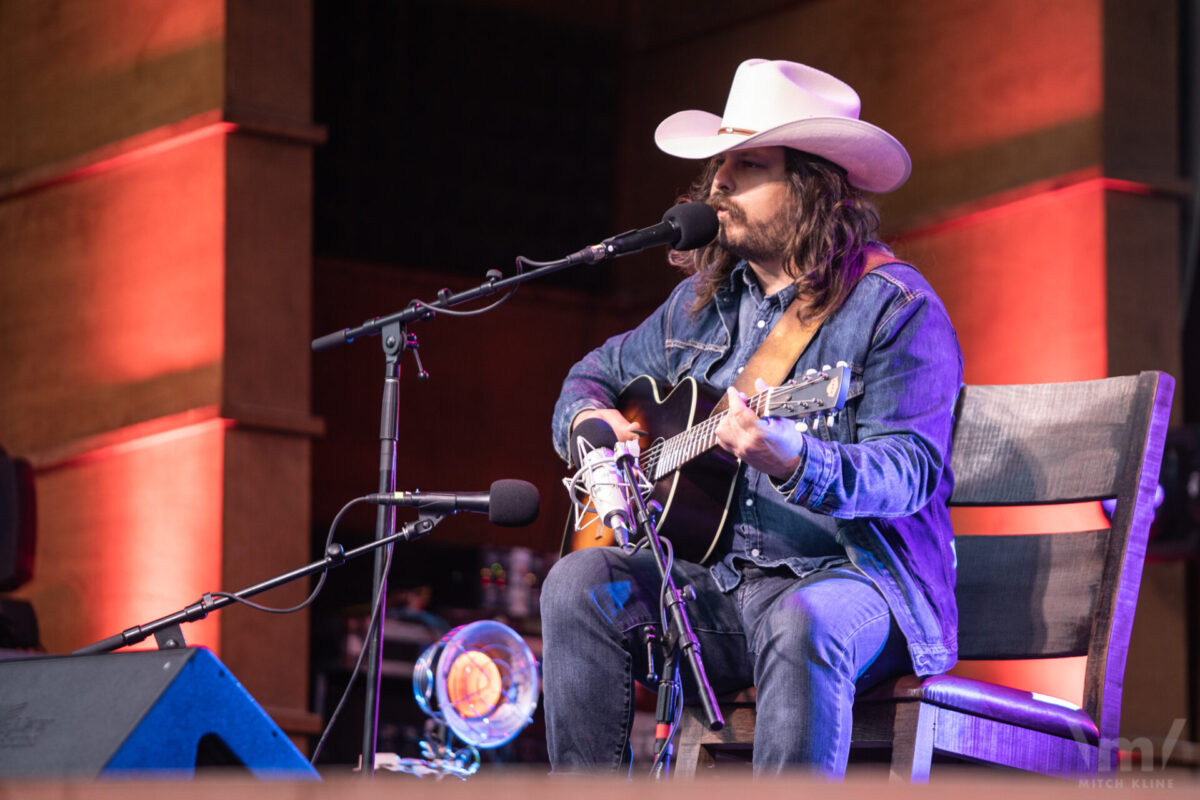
(393,330)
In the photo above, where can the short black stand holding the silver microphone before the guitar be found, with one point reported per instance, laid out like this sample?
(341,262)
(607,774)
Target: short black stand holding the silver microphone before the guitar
(679,640)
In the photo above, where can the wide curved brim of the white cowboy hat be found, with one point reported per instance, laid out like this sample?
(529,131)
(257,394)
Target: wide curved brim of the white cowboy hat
(873,159)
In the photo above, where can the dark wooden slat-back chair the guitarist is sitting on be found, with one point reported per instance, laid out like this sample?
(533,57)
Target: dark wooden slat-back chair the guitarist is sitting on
(1022,597)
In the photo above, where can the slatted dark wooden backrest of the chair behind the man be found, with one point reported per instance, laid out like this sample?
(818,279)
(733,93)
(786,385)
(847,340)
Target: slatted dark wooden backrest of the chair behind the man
(1046,596)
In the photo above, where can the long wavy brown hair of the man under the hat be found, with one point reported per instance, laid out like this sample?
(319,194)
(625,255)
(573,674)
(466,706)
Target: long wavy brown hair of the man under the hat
(826,255)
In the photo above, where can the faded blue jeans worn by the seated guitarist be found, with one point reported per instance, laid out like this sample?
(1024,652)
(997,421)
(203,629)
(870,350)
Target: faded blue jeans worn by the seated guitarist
(806,645)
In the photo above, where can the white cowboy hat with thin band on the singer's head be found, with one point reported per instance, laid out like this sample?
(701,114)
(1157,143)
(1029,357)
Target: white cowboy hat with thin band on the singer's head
(796,106)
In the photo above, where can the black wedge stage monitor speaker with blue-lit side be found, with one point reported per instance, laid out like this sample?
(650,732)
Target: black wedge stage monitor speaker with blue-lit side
(151,713)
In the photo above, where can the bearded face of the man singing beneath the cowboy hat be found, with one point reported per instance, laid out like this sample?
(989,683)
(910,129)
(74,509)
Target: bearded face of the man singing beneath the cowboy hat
(754,203)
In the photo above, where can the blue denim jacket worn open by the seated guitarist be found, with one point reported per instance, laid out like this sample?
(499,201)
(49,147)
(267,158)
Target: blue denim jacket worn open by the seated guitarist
(878,480)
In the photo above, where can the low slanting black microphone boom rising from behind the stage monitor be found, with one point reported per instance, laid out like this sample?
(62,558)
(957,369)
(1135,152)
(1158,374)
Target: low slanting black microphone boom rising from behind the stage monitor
(166,629)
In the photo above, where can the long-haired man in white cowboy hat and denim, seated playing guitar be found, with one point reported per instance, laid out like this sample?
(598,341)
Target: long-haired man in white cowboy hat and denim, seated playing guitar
(837,568)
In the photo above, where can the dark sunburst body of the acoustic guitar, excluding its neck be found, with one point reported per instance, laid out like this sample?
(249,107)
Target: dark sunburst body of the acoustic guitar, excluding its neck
(695,498)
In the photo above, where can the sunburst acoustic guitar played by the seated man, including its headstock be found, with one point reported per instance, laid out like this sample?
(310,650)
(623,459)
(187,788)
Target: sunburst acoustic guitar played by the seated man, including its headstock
(693,478)
